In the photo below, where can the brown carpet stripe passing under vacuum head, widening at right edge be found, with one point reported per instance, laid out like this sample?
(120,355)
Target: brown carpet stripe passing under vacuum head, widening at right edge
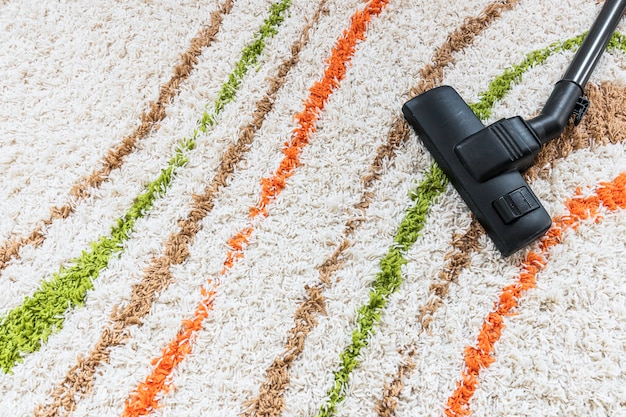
(605,122)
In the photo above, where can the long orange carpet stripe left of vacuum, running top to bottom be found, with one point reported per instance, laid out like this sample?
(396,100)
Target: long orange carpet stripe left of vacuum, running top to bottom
(145,398)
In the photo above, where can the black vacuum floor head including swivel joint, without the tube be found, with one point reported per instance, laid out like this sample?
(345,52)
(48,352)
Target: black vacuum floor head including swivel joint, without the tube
(497,195)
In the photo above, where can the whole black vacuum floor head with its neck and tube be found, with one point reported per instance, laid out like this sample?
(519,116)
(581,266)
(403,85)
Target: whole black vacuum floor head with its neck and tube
(485,163)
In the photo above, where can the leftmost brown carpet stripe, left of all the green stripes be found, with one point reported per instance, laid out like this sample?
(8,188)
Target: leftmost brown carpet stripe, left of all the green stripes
(114,158)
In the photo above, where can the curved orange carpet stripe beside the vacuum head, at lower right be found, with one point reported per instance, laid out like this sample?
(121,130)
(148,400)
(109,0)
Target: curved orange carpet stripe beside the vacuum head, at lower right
(612,196)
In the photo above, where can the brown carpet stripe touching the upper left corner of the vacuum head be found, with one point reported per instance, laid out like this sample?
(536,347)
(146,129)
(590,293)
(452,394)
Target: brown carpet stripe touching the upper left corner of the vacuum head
(270,400)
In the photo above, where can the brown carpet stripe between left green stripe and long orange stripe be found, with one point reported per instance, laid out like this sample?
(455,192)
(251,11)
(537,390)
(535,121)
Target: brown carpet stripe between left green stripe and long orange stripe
(79,380)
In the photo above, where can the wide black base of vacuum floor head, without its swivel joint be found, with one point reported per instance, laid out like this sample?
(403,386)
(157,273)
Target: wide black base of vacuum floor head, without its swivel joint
(505,205)
